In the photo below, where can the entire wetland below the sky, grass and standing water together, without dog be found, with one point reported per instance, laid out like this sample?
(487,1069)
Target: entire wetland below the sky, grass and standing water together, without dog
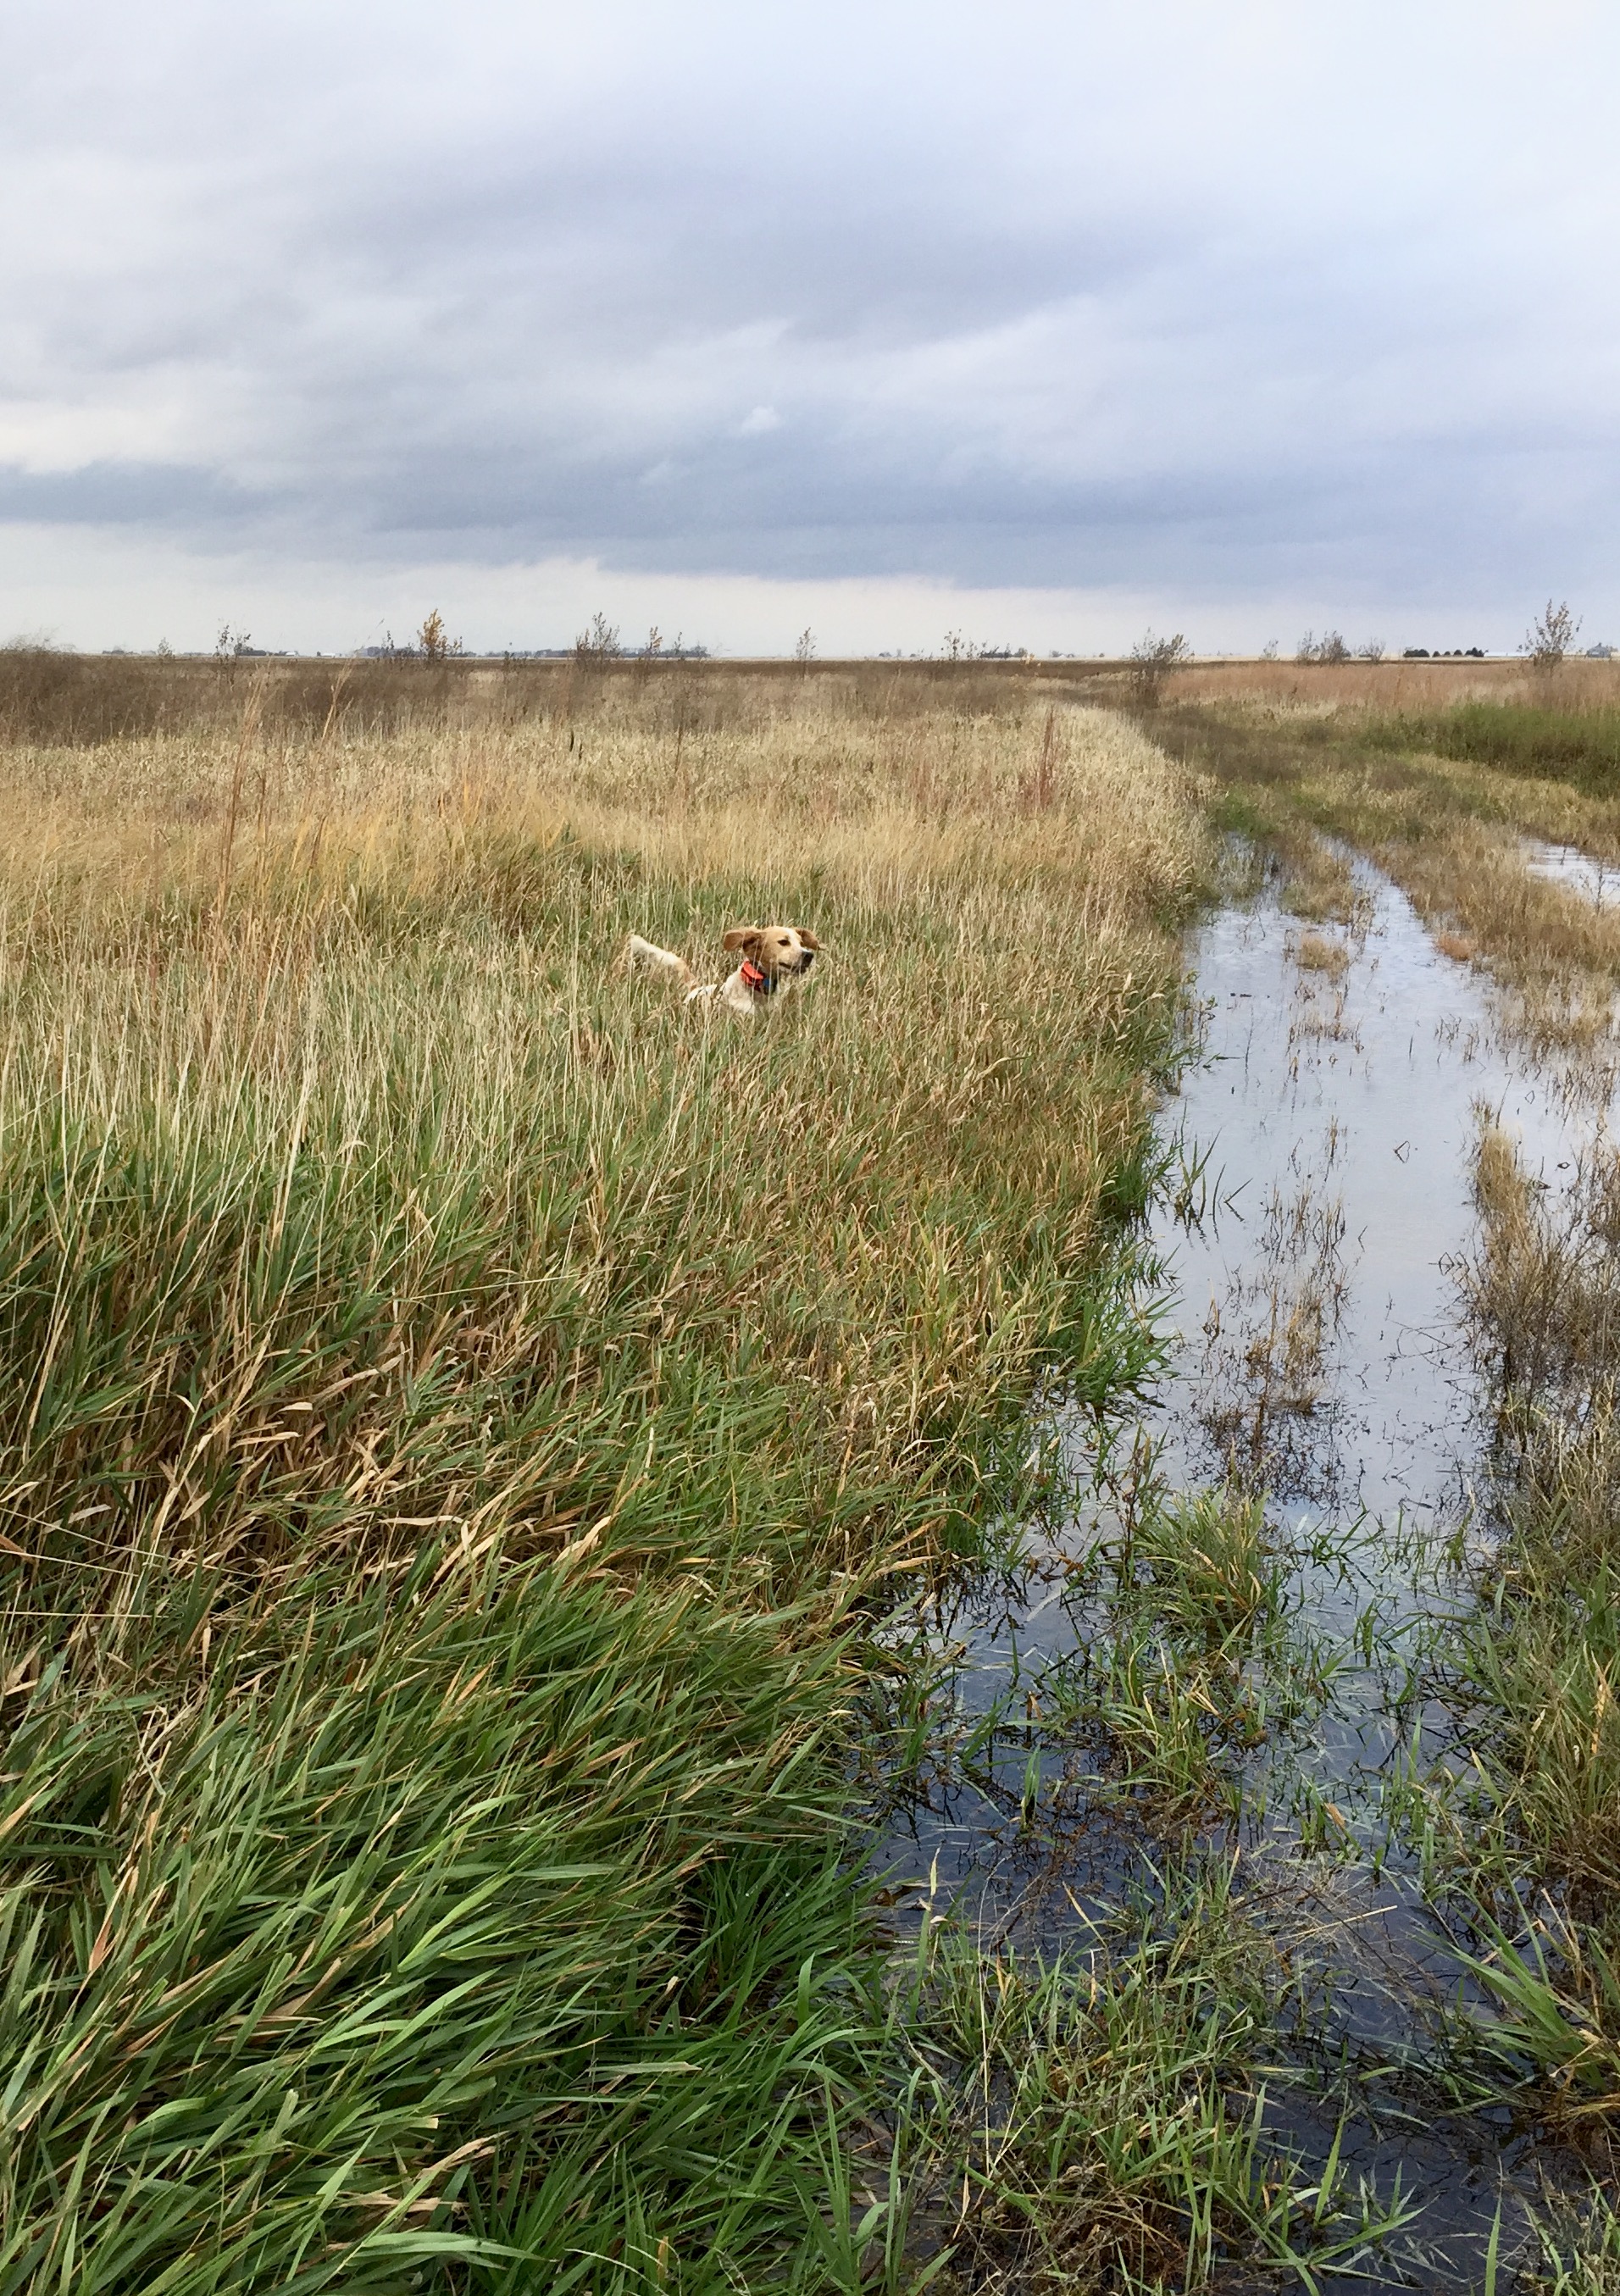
(653,1657)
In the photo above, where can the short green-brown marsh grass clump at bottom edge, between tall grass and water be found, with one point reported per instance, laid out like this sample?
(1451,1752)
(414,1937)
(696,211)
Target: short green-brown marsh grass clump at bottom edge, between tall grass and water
(1093,2120)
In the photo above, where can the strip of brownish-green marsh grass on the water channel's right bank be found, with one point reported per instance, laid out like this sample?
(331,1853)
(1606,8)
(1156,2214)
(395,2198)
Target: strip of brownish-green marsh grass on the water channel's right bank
(1532,1831)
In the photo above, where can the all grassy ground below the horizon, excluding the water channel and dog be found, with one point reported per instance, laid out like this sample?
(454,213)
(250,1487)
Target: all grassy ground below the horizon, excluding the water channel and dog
(465,1420)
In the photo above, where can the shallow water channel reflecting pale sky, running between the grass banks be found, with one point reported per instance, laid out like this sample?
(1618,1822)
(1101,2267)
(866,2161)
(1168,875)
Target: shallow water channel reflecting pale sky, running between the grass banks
(1323,1363)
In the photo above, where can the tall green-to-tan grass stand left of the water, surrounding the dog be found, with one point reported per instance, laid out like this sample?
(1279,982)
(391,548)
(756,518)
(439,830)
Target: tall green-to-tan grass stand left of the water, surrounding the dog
(458,1415)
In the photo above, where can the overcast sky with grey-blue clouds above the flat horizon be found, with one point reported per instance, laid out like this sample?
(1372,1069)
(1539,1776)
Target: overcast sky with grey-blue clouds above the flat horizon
(1041,323)
